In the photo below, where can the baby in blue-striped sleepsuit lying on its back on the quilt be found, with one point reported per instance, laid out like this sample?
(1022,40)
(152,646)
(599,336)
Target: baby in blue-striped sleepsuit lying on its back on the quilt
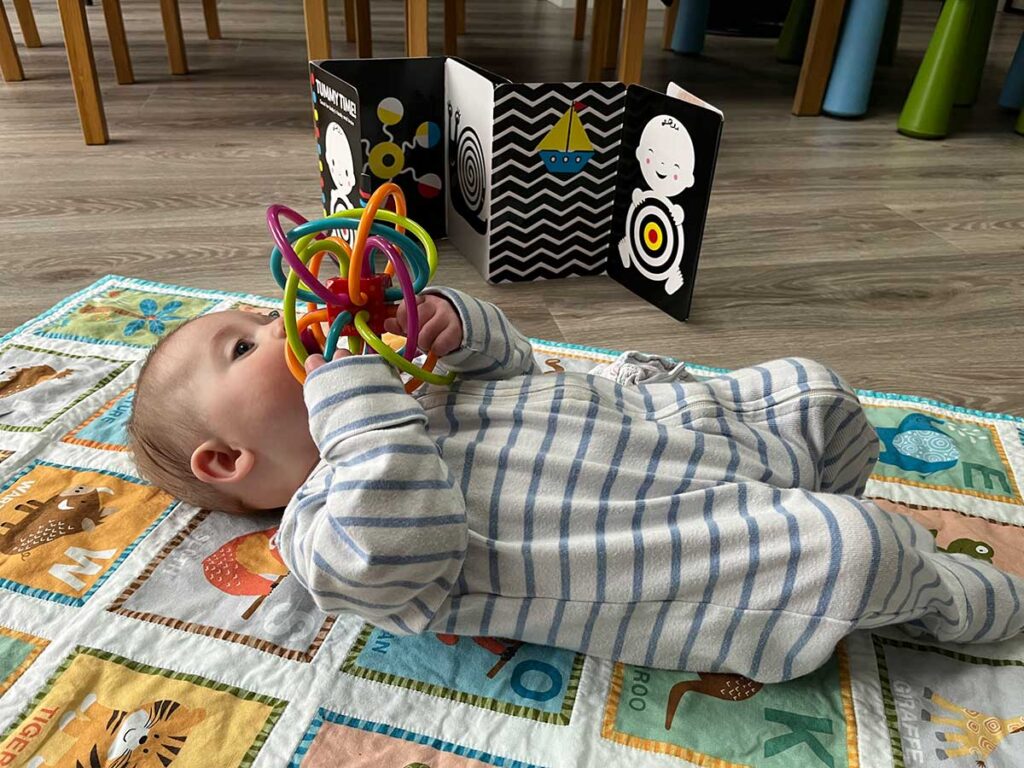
(709,527)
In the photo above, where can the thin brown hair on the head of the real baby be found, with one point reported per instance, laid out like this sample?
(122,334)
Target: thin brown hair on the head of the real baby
(163,434)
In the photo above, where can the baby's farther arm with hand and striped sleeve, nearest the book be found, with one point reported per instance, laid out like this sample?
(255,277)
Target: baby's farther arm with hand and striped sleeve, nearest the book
(485,346)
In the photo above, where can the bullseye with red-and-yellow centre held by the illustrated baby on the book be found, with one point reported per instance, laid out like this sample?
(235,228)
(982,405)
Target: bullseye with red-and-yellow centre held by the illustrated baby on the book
(656,242)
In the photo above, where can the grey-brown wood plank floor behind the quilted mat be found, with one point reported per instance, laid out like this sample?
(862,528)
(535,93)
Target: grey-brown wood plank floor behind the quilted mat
(901,263)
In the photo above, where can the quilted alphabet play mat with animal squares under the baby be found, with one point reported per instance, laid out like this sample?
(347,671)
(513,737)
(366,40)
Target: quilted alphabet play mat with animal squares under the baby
(137,631)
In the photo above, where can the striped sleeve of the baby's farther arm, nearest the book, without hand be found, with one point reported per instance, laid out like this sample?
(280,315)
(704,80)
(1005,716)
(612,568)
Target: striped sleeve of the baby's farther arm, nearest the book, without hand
(492,348)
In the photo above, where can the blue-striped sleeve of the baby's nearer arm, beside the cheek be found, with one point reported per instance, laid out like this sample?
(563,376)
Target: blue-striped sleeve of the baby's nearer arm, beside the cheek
(381,530)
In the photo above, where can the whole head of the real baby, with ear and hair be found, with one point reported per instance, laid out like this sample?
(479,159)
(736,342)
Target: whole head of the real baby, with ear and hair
(219,420)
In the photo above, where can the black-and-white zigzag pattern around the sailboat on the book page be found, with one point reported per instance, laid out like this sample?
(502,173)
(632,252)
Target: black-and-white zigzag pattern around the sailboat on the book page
(546,226)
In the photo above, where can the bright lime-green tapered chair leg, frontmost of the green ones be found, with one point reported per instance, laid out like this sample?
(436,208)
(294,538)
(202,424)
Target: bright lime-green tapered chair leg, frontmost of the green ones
(926,113)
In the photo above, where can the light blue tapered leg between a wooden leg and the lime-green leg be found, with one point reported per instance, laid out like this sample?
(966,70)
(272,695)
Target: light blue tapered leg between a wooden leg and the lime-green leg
(850,83)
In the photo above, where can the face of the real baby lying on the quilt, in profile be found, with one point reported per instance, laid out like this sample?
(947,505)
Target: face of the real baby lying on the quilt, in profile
(245,395)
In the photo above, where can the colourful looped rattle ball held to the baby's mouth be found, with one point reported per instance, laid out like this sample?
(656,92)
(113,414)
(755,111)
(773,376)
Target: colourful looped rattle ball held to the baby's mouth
(356,304)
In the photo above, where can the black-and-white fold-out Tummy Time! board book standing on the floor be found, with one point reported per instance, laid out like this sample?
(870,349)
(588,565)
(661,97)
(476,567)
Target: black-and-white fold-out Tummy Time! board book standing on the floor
(529,181)
